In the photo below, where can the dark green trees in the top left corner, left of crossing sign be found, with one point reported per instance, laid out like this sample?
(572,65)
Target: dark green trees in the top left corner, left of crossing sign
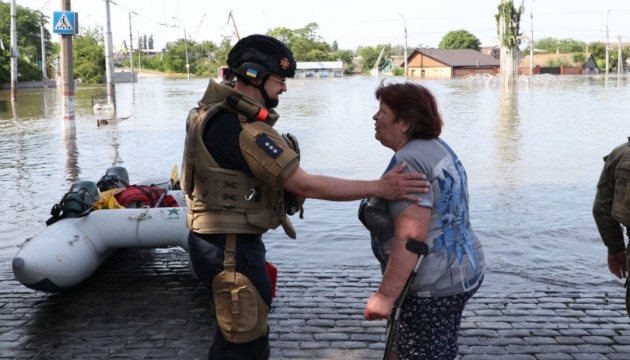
(29,42)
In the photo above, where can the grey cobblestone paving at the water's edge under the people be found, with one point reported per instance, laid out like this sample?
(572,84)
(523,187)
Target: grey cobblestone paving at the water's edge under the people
(145,304)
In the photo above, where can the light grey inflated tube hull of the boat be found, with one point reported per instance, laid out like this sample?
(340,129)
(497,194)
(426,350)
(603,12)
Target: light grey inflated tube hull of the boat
(71,250)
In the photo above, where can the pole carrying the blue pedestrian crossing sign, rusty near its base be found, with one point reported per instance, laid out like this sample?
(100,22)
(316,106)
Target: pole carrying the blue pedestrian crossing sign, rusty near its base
(67,77)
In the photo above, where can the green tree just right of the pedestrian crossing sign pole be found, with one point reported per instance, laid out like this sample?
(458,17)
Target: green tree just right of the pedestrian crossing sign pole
(88,56)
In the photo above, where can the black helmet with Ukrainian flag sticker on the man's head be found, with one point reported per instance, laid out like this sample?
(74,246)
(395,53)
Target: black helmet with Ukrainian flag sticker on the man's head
(257,56)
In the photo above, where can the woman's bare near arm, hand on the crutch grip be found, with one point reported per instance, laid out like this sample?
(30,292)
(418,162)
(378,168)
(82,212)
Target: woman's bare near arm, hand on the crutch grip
(413,223)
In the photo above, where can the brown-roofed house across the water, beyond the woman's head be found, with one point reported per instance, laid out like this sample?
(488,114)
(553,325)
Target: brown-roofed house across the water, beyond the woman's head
(449,63)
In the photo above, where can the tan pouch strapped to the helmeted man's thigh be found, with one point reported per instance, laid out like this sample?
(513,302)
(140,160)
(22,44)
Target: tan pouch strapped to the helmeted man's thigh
(241,312)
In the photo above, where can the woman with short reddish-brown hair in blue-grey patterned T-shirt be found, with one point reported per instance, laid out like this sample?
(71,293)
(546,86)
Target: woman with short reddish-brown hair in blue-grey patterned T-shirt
(409,123)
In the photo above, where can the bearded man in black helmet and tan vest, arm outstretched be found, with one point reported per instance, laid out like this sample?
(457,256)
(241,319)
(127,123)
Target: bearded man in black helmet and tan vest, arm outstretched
(242,178)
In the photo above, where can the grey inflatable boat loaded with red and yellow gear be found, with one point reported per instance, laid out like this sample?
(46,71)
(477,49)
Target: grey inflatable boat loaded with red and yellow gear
(82,234)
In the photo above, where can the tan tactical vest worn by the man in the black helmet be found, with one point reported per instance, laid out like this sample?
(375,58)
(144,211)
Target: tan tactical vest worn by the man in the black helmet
(229,201)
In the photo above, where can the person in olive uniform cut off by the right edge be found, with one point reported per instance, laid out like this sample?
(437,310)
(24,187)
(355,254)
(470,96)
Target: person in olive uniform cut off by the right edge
(611,210)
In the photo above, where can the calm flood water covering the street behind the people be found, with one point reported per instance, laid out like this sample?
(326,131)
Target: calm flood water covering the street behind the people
(533,159)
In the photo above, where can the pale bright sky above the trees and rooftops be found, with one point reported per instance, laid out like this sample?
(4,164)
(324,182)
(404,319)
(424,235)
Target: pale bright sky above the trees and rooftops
(351,24)
